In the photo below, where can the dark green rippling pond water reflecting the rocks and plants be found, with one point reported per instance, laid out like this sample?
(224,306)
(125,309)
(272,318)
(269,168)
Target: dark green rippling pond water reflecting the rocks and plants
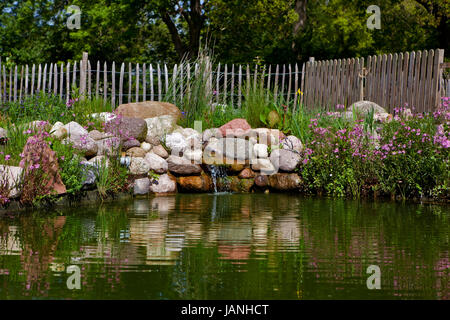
(227,246)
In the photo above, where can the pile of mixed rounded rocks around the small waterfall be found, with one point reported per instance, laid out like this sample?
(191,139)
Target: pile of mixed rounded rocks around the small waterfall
(164,157)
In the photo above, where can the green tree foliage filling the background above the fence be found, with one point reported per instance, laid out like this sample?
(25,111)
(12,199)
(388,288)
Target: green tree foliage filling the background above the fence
(273,31)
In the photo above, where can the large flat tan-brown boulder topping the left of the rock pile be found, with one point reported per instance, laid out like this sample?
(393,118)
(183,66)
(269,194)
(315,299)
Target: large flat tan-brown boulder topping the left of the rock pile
(148,109)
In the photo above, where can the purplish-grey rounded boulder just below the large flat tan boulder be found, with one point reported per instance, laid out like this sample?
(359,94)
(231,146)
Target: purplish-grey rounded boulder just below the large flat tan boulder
(126,128)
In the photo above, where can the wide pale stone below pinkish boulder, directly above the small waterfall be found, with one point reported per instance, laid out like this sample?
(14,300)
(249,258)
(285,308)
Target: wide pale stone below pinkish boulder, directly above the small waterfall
(231,148)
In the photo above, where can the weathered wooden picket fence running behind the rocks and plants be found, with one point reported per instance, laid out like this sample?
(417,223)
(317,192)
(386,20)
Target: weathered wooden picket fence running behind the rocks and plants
(392,80)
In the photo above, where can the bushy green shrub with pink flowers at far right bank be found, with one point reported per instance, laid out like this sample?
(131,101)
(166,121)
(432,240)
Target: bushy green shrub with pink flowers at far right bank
(415,155)
